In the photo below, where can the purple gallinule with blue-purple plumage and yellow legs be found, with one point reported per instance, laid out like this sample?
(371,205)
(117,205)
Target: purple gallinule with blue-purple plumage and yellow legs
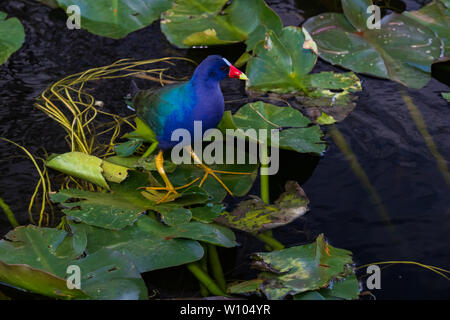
(179,105)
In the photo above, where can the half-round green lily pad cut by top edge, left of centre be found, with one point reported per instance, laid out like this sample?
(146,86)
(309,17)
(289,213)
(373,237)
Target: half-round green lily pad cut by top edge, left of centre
(116,19)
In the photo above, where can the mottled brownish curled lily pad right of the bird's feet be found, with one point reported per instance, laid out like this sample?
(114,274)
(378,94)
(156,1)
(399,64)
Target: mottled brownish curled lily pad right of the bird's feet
(255,215)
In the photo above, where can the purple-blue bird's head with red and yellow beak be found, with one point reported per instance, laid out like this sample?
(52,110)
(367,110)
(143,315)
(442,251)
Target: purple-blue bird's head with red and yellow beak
(217,68)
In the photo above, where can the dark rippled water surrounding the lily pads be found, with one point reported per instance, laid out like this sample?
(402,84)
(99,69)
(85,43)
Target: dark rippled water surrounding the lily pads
(380,132)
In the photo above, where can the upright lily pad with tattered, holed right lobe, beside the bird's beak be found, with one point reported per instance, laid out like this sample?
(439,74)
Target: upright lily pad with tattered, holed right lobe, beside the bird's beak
(282,64)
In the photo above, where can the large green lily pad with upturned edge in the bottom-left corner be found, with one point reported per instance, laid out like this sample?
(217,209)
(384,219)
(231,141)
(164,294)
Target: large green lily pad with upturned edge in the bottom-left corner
(37,259)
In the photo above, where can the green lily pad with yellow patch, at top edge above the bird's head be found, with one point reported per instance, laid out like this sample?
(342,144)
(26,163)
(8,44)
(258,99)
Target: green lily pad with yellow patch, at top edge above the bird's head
(213,22)
